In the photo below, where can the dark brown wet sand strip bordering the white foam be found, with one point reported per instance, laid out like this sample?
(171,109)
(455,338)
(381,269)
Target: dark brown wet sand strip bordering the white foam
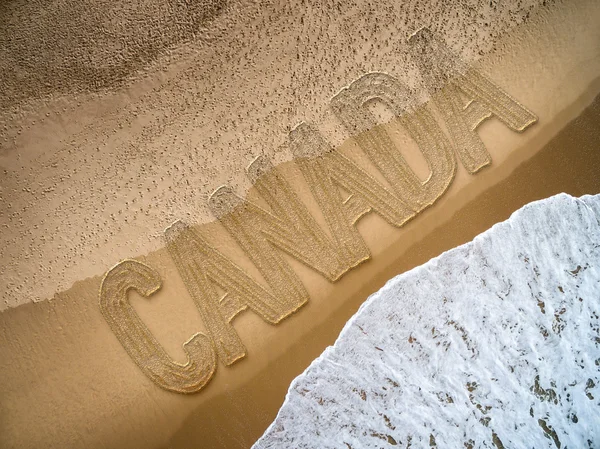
(569,163)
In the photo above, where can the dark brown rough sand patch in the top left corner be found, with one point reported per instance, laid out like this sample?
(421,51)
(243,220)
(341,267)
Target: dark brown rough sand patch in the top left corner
(50,47)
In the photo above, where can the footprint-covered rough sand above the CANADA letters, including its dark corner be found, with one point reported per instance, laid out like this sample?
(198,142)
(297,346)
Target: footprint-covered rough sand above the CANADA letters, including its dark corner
(99,158)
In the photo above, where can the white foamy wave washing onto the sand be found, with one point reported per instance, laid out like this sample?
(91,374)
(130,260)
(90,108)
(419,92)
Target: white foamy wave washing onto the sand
(495,343)
